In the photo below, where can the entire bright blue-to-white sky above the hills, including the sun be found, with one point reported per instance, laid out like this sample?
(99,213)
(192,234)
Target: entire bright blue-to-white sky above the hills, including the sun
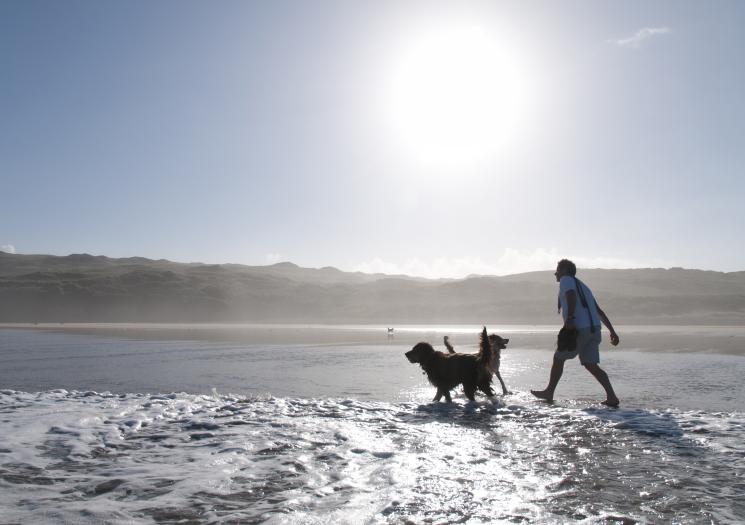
(430,138)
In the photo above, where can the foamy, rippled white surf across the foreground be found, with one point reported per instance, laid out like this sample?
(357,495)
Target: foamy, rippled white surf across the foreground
(180,458)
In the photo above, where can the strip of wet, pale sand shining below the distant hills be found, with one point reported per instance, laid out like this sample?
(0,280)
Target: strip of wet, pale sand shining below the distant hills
(715,339)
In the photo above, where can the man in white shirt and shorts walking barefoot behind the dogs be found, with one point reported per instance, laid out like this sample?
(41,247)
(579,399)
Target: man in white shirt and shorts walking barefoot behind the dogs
(580,311)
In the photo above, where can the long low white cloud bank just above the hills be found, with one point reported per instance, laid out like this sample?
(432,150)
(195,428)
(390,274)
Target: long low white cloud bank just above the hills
(510,262)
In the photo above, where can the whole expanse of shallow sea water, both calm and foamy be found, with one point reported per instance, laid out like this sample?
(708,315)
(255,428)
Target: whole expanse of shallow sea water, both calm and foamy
(347,434)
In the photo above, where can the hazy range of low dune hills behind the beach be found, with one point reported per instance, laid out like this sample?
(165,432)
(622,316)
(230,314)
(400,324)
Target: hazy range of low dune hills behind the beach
(87,288)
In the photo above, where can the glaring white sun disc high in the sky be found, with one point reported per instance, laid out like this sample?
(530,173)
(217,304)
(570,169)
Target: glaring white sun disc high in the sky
(456,96)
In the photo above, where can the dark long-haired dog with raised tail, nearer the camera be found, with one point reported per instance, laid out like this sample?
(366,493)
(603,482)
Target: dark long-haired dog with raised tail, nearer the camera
(446,371)
